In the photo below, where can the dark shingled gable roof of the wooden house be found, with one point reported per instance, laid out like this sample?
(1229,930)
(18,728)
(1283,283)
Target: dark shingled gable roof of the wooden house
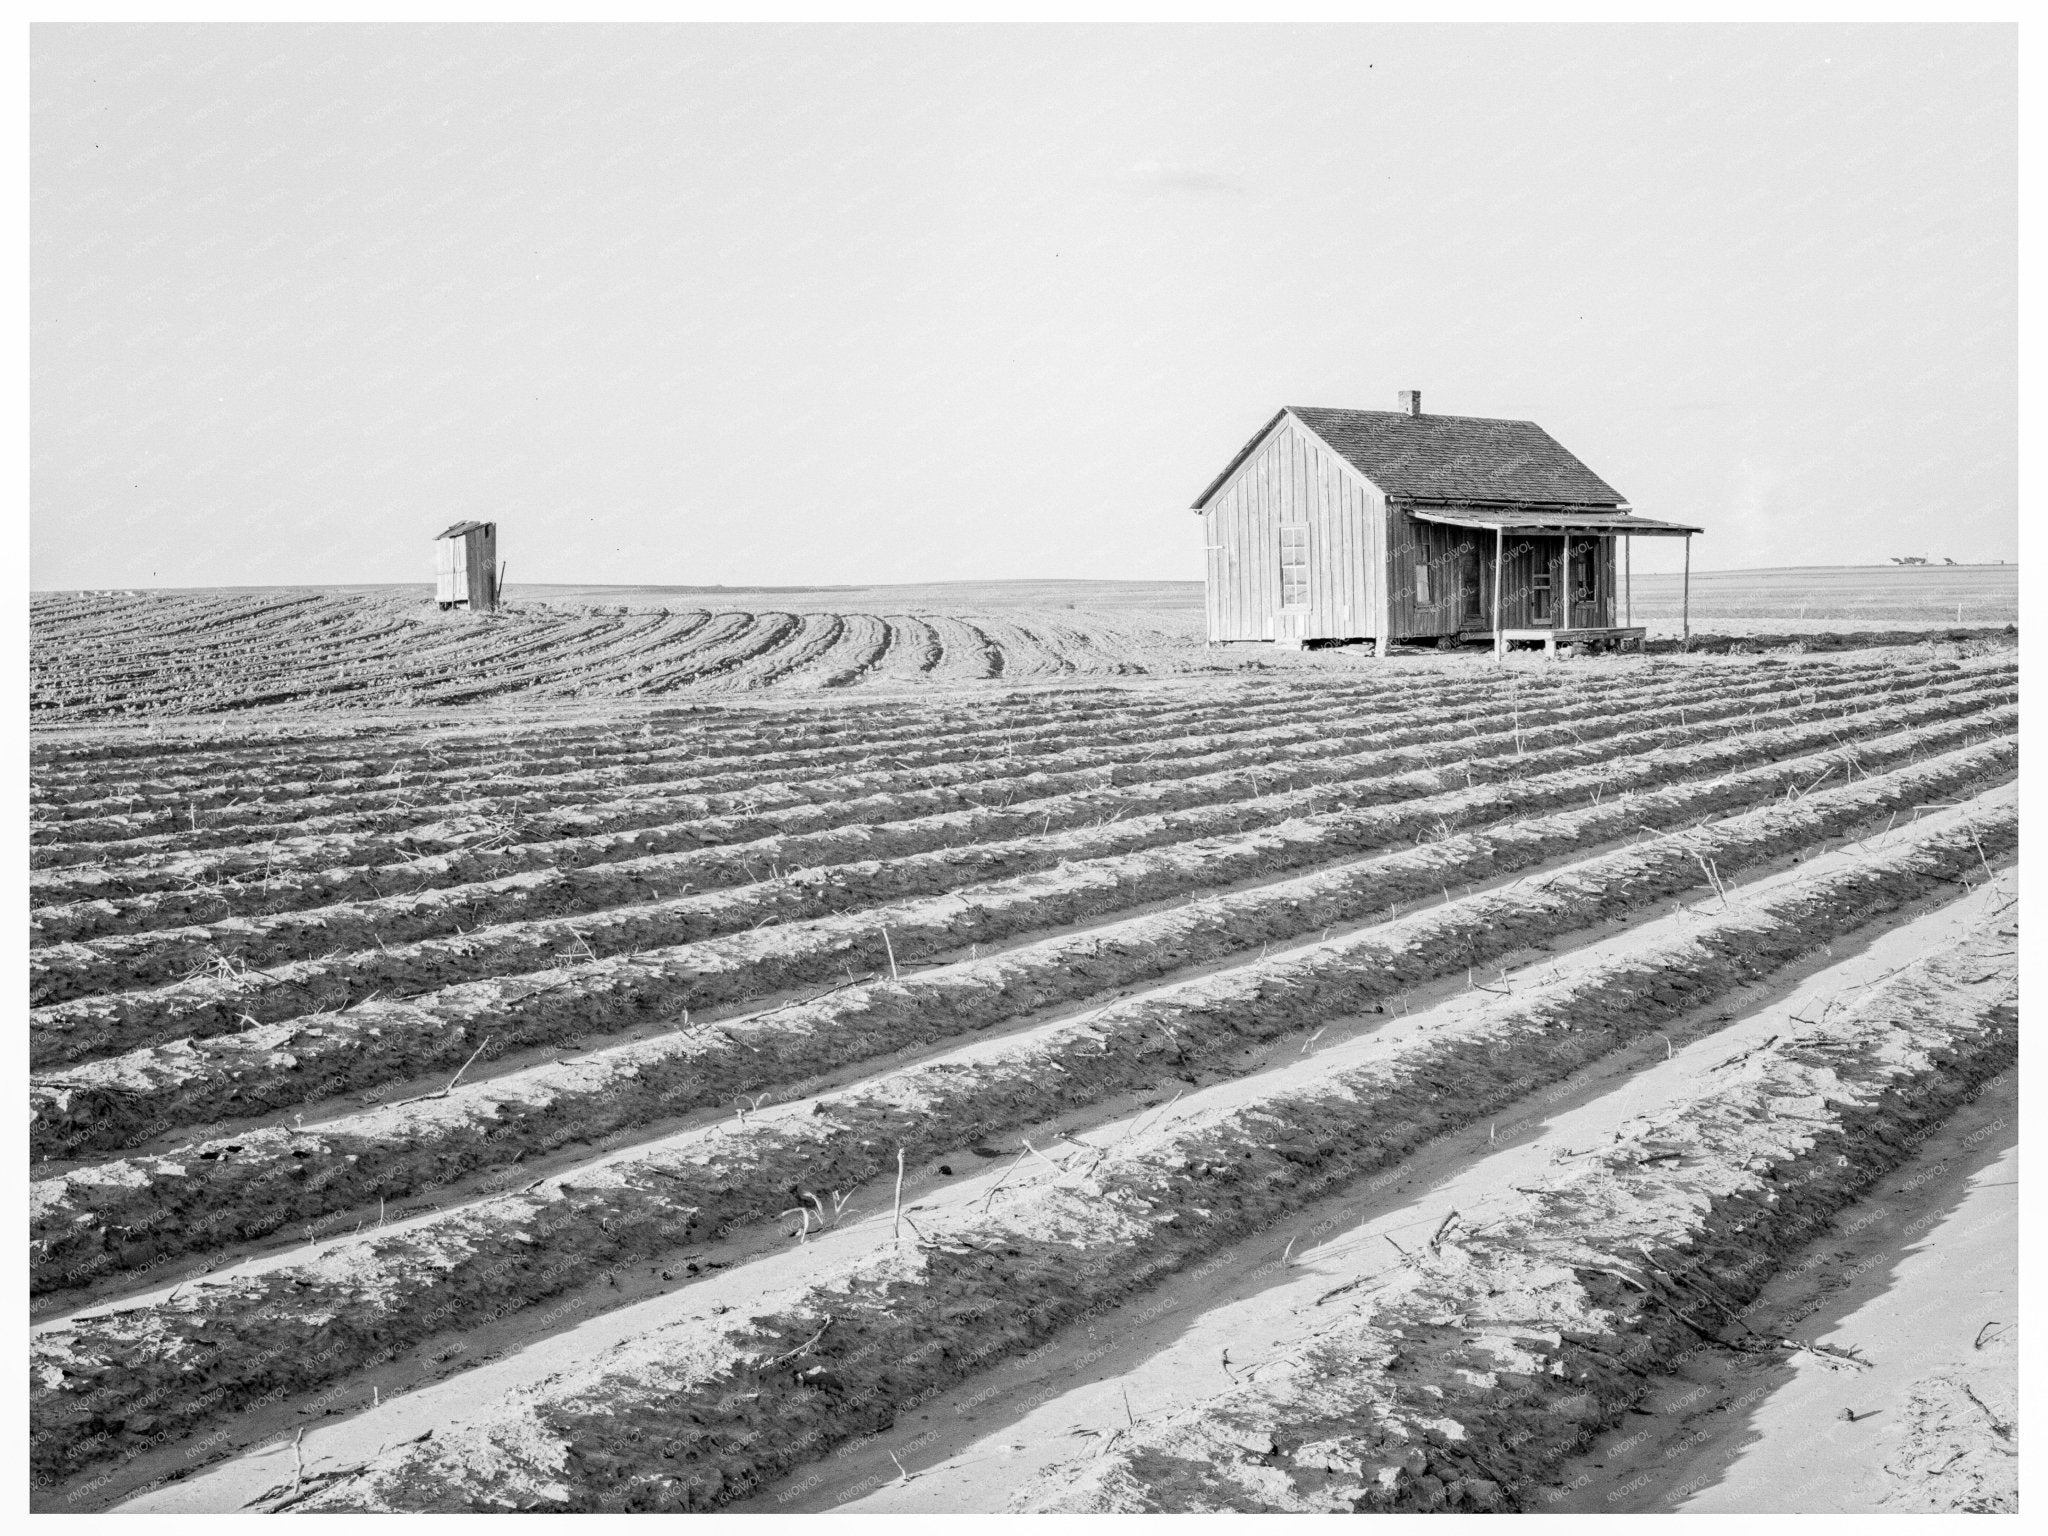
(1445,458)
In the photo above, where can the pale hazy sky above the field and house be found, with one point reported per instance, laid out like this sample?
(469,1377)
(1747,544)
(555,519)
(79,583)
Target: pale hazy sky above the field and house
(779,306)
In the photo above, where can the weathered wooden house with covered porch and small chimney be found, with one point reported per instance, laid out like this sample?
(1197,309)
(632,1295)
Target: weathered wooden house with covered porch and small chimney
(1338,525)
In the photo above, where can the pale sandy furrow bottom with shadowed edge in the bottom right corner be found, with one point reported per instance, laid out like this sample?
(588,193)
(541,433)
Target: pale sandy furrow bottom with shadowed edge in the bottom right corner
(1918,1281)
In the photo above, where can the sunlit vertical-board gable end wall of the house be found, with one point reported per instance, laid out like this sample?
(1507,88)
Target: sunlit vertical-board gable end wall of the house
(1293,478)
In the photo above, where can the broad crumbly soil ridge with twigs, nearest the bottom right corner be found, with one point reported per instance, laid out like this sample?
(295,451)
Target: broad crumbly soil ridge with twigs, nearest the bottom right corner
(1619,1269)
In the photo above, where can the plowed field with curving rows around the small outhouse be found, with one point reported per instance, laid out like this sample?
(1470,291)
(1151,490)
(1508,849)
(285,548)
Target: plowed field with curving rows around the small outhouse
(140,654)
